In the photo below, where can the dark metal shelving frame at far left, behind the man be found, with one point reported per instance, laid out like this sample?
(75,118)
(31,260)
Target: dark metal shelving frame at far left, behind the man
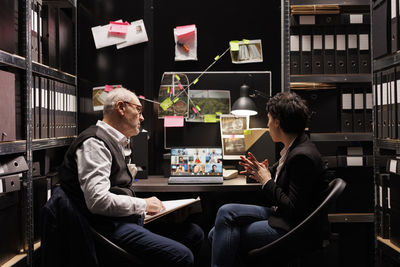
(24,68)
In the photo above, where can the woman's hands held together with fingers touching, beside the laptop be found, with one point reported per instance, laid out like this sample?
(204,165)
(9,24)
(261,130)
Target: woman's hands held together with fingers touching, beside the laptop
(254,169)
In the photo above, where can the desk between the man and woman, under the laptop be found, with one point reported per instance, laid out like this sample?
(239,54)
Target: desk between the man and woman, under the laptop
(160,184)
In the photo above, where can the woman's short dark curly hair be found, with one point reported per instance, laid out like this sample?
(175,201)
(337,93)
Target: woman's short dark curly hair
(291,110)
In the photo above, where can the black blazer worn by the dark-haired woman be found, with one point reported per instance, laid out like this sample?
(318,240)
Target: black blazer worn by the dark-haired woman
(299,186)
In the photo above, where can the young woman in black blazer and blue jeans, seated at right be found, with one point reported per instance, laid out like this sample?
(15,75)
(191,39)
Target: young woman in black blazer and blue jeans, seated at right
(292,187)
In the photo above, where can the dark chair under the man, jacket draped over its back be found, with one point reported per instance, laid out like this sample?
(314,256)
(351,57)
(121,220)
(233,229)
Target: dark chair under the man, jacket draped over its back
(67,239)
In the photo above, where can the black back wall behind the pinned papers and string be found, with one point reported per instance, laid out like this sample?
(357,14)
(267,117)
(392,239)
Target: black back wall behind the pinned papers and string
(140,67)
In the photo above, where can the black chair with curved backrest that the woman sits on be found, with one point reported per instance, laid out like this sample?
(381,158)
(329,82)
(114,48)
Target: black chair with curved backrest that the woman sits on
(298,243)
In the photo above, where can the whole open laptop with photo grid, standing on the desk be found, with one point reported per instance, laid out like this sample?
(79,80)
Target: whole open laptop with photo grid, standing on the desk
(196,165)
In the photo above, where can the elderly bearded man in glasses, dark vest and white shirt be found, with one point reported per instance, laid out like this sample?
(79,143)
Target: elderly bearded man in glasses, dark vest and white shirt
(97,179)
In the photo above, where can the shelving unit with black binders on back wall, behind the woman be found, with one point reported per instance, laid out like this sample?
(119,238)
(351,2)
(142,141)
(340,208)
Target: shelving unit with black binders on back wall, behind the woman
(331,139)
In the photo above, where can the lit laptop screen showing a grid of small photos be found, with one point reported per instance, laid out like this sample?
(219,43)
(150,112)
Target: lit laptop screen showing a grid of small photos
(196,161)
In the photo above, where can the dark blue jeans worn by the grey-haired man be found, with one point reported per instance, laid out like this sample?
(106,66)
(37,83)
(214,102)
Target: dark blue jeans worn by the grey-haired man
(162,245)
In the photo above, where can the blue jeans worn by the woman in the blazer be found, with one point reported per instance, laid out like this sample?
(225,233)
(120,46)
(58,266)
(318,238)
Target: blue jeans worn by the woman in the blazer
(238,229)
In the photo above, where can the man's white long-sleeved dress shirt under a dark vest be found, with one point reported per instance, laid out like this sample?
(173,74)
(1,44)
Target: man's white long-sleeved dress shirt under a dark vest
(94,169)
